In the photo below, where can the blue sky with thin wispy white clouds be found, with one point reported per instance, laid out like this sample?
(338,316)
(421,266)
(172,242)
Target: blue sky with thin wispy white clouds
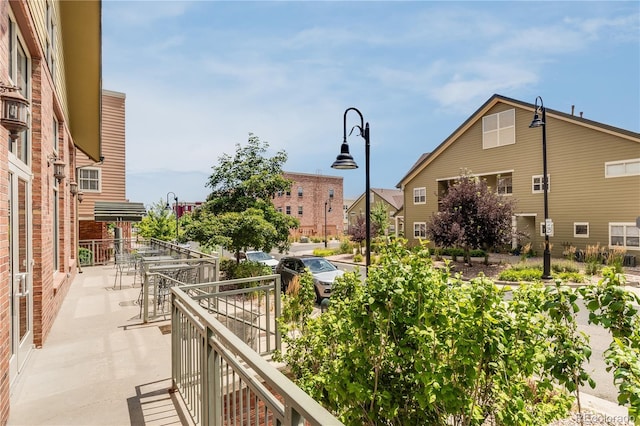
(200,76)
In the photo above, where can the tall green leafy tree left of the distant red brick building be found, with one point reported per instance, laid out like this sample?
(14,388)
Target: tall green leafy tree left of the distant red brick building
(239,213)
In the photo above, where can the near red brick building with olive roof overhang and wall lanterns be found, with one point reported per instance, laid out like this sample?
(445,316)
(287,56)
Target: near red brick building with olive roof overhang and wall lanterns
(50,87)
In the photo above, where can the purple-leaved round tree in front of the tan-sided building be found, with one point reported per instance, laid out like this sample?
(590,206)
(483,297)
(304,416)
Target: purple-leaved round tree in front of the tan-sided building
(471,216)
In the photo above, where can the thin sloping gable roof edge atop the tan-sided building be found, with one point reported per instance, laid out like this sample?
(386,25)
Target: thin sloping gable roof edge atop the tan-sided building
(427,158)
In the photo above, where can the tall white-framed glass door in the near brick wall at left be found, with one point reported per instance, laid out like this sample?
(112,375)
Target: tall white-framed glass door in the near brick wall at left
(20,256)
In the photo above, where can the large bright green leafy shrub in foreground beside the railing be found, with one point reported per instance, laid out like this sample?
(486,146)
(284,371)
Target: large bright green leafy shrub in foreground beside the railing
(413,345)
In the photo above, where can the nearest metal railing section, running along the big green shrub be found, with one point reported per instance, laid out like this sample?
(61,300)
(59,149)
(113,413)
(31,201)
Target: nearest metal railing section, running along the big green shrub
(221,379)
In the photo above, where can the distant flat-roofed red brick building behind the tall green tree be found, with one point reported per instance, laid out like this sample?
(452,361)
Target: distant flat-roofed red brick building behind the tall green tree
(306,201)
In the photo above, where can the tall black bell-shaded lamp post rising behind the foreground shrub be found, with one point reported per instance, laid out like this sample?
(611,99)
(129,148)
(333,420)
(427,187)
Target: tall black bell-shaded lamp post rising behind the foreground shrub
(345,161)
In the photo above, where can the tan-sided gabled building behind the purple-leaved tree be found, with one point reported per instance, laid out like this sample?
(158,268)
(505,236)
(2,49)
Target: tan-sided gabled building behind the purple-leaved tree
(587,204)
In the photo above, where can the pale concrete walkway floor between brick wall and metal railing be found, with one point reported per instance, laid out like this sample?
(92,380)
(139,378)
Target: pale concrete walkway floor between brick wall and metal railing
(99,365)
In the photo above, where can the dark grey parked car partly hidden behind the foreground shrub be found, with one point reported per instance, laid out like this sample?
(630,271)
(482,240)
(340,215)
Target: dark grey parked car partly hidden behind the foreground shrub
(324,273)
